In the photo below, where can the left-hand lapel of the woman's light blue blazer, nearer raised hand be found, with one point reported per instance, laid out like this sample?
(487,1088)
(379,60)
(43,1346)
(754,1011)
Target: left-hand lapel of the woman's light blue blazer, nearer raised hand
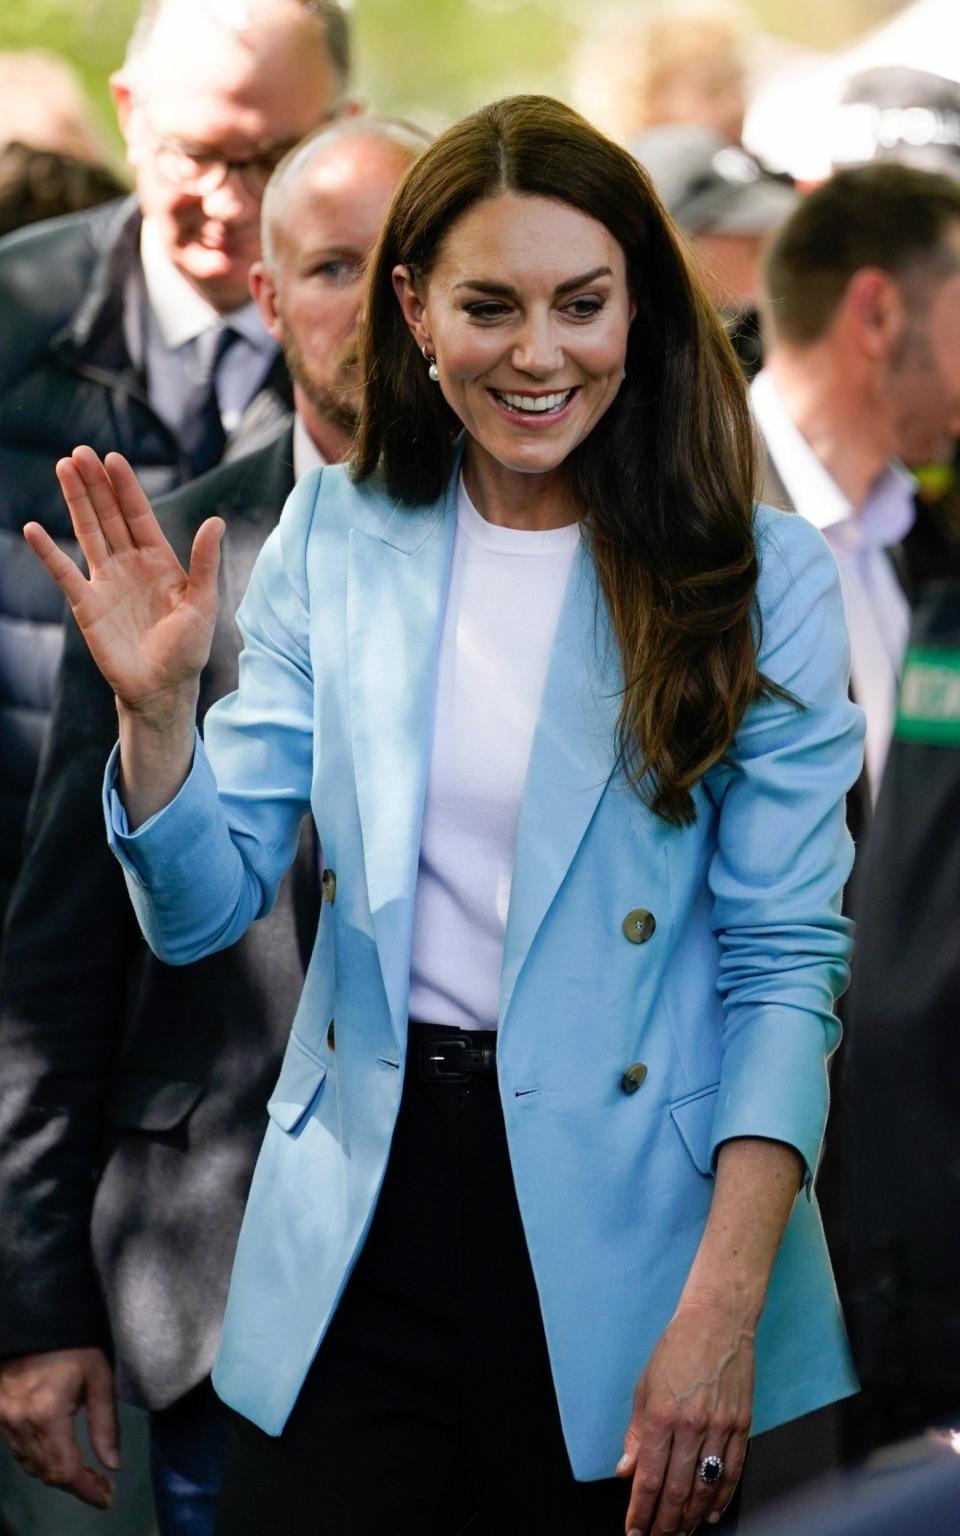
(397,589)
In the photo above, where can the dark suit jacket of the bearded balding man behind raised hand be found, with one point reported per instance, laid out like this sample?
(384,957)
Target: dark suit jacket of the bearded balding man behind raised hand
(134,1093)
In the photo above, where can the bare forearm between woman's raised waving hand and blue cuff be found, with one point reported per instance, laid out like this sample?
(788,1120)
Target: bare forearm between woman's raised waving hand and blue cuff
(156,752)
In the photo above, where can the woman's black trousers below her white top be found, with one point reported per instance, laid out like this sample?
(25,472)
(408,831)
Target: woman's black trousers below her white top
(431,1406)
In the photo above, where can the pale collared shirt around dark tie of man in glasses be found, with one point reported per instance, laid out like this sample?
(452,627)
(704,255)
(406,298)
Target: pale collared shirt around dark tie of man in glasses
(159,337)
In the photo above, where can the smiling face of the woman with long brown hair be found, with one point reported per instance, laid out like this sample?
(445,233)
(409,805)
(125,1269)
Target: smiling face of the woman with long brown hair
(528,313)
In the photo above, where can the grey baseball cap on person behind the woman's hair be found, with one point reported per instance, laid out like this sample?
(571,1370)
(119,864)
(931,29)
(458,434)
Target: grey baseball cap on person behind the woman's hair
(712,185)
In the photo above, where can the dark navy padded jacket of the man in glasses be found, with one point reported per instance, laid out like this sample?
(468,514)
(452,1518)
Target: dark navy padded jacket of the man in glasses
(65,379)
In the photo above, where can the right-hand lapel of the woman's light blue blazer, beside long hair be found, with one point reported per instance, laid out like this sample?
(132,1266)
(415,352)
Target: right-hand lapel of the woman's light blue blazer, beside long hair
(572,760)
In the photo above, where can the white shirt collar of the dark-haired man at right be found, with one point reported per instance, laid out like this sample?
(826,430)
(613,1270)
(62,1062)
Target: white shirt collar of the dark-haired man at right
(889,511)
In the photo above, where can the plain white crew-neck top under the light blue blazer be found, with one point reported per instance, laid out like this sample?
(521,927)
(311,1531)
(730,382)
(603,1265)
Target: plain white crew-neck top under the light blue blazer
(503,606)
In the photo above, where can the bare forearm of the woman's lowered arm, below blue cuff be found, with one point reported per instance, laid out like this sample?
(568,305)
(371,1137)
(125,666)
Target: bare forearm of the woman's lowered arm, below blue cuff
(756,1187)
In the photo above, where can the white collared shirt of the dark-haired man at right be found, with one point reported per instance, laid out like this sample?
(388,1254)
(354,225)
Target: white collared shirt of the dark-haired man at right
(878,612)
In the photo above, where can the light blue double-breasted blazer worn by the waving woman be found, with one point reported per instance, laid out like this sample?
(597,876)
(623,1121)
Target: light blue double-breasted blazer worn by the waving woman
(729,1004)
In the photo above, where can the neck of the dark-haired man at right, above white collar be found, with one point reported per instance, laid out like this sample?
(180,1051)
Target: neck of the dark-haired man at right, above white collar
(839,414)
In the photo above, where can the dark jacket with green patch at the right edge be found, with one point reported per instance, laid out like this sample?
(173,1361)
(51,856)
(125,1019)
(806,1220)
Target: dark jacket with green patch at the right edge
(904,1061)
